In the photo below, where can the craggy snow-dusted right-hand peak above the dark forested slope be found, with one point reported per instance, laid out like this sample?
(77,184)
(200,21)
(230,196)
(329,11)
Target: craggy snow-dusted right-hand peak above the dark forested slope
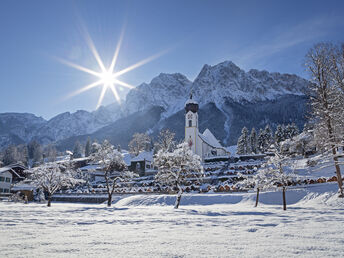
(227,81)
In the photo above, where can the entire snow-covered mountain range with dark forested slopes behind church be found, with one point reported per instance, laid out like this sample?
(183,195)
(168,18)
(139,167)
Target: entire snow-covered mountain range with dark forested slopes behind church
(229,98)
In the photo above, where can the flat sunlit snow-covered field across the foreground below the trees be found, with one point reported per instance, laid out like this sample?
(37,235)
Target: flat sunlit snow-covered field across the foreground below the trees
(206,225)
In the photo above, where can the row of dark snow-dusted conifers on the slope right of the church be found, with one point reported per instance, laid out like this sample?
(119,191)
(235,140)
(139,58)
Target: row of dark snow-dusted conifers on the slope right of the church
(253,143)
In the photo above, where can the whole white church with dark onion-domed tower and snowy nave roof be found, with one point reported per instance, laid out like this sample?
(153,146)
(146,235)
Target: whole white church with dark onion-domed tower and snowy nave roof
(205,145)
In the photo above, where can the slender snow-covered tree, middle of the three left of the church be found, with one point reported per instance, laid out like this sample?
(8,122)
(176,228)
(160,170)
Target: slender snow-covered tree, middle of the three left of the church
(115,169)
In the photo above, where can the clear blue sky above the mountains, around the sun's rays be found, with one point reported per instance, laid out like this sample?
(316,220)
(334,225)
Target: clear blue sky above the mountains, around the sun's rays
(267,35)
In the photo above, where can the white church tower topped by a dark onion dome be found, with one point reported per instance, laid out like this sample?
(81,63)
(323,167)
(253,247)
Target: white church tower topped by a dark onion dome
(191,126)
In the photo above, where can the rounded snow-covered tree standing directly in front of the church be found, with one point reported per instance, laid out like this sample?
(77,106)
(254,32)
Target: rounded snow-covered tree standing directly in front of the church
(177,168)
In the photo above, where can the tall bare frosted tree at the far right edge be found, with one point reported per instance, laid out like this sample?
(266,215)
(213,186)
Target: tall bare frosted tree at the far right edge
(326,98)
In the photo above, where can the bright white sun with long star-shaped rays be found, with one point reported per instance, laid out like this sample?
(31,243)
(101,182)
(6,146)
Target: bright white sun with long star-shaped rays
(107,78)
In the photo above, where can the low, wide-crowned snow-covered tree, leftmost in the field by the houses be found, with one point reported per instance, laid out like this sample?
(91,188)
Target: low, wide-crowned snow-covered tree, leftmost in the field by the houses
(52,177)
